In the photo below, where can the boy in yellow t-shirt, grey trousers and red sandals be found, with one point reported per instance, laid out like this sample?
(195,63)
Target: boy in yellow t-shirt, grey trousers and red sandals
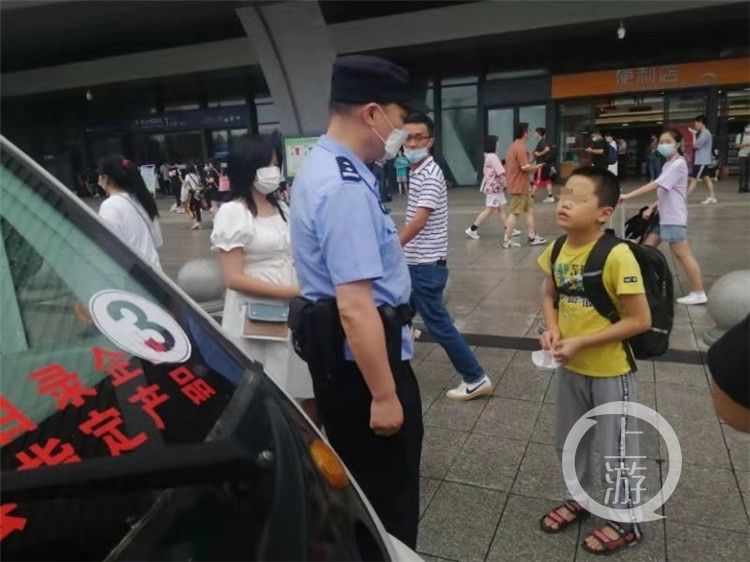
(595,368)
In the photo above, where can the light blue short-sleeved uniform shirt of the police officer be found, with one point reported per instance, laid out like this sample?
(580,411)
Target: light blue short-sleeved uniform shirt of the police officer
(341,234)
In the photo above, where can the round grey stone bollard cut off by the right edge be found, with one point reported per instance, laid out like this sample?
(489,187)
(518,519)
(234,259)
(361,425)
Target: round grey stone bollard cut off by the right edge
(728,303)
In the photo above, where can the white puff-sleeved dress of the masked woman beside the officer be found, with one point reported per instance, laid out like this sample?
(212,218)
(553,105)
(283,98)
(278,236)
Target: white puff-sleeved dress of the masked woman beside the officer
(268,257)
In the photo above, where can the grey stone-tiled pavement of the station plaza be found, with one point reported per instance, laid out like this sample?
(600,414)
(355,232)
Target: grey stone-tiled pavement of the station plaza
(489,469)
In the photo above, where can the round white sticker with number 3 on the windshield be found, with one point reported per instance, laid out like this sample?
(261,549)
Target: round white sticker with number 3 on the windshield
(139,327)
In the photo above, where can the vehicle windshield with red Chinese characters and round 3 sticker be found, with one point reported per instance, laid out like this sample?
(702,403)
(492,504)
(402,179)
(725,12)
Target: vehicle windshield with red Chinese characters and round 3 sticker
(129,426)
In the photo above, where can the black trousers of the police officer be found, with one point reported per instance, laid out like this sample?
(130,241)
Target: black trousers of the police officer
(386,468)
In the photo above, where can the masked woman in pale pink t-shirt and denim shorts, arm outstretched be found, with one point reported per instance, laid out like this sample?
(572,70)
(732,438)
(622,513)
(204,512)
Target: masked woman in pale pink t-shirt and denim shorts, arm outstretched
(671,191)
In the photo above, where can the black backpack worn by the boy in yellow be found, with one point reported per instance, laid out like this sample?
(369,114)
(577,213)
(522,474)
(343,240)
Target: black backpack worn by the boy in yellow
(657,282)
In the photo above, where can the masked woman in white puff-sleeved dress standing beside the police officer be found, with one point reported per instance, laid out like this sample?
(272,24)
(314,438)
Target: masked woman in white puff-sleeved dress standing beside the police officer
(251,236)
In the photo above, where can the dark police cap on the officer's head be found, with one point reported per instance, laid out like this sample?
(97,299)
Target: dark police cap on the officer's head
(365,79)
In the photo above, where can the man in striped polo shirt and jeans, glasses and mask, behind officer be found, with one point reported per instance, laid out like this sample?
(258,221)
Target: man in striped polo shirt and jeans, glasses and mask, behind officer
(425,242)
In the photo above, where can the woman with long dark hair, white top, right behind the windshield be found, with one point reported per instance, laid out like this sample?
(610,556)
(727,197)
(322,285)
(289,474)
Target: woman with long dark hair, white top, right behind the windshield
(130,210)
